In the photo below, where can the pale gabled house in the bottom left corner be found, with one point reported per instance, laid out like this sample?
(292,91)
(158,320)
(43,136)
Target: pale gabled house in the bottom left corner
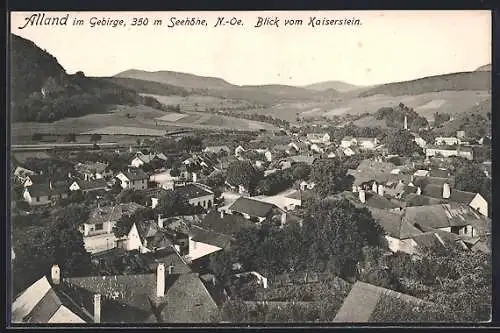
(40,303)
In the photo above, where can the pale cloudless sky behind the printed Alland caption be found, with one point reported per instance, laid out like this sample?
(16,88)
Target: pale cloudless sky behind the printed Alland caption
(388,46)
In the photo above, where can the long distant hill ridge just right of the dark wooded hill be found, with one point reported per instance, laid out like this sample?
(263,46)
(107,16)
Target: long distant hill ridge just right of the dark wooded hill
(184,80)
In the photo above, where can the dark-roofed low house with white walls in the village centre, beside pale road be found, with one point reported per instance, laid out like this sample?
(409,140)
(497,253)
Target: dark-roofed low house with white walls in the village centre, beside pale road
(256,210)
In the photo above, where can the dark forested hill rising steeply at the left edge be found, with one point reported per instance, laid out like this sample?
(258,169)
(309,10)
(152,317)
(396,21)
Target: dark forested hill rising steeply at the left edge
(42,91)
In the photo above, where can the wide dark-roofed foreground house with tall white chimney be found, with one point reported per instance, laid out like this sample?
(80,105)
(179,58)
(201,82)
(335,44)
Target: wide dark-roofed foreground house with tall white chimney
(161,297)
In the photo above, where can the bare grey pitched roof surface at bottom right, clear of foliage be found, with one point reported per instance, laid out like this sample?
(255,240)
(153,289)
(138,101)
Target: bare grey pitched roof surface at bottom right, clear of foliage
(364,300)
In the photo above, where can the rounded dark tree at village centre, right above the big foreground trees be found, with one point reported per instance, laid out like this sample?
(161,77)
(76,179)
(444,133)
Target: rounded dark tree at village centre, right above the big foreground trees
(330,176)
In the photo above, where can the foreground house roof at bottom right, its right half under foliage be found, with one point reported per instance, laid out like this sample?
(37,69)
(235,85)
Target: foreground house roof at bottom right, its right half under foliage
(367,303)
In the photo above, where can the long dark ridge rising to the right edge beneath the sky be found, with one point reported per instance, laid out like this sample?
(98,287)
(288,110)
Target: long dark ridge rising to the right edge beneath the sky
(466,81)
